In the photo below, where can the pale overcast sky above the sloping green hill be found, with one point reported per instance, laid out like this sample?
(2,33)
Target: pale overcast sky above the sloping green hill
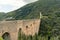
(10,5)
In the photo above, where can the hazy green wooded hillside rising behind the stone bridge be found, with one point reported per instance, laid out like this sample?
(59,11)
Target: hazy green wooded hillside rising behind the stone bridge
(33,10)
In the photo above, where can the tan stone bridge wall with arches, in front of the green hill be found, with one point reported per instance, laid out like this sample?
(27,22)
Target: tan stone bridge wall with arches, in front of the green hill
(11,28)
